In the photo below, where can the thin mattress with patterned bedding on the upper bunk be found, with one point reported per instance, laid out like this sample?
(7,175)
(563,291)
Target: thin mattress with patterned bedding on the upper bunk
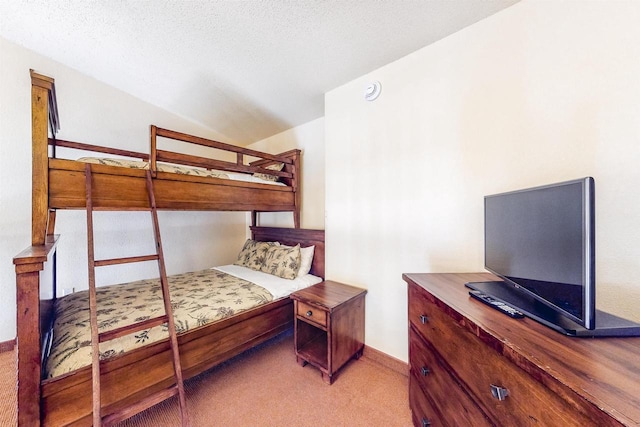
(180,169)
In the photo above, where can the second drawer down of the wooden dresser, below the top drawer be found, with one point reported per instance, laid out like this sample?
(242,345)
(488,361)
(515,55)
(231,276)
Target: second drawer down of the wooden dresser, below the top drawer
(437,382)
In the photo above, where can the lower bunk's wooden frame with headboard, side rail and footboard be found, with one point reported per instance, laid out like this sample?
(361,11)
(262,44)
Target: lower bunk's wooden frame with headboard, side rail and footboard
(66,400)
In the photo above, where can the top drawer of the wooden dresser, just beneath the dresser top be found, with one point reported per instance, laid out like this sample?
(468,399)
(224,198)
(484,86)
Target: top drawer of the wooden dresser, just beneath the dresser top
(527,402)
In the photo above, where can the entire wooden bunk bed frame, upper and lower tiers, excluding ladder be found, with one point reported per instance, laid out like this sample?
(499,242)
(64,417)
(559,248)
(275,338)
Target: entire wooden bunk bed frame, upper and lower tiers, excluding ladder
(59,184)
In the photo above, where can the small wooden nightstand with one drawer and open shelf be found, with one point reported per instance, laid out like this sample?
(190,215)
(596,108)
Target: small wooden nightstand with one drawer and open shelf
(329,326)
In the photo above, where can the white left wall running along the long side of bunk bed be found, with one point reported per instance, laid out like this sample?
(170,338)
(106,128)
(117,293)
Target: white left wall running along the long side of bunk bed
(95,113)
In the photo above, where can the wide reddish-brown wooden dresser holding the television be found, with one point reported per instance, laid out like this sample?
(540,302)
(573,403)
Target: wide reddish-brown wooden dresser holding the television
(473,365)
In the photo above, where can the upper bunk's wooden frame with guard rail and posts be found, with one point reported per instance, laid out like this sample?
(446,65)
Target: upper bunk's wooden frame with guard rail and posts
(60,183)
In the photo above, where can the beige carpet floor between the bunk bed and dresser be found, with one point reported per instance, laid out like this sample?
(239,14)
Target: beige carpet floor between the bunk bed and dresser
(266,387)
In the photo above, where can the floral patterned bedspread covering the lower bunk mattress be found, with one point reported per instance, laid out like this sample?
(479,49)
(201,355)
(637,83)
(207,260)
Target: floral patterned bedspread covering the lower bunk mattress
(197,298)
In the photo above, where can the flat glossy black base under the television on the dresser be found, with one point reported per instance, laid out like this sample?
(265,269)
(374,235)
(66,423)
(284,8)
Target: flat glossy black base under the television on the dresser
(607,325)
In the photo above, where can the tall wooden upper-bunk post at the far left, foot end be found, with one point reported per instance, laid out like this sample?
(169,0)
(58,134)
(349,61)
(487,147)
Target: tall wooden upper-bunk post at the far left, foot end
(41,89)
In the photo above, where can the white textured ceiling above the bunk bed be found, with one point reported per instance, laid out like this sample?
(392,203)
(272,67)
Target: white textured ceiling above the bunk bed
(248,69)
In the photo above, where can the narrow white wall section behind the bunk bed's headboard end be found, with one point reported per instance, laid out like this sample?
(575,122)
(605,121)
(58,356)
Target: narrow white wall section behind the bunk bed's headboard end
(309,138)
